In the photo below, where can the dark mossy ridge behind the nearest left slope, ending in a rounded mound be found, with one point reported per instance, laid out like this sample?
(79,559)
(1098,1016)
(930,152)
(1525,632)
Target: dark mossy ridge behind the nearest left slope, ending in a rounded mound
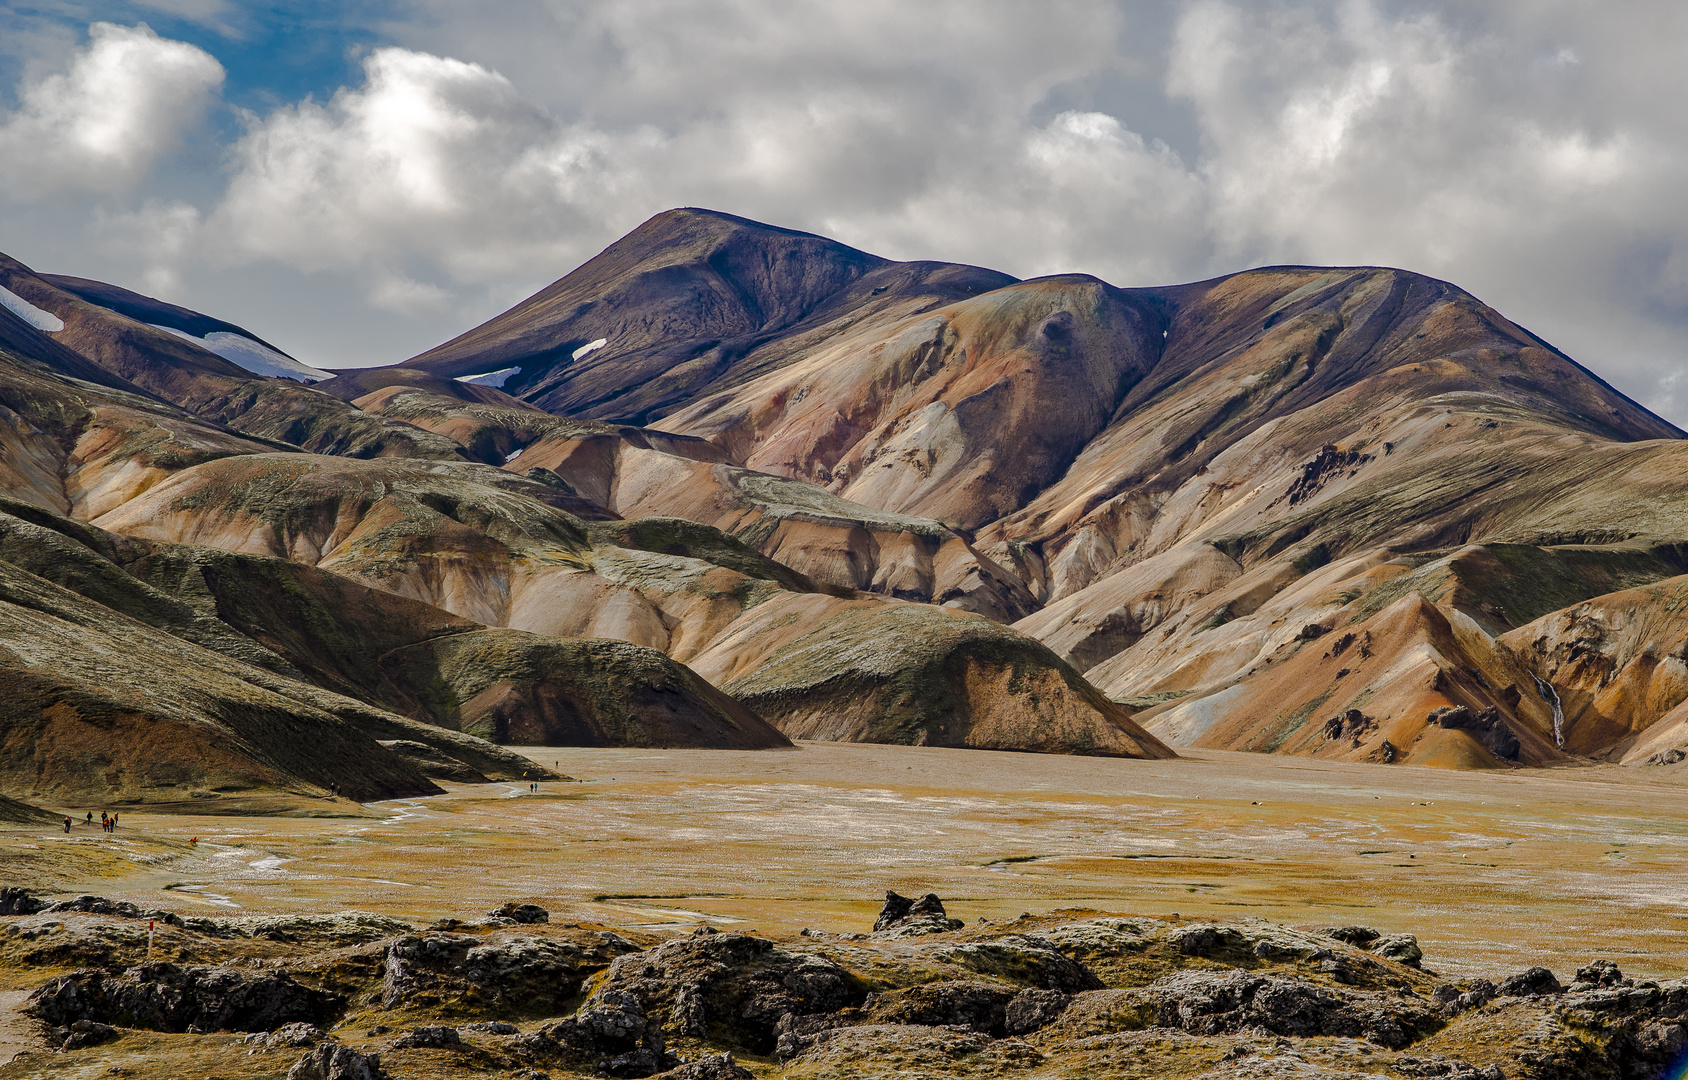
(315,635)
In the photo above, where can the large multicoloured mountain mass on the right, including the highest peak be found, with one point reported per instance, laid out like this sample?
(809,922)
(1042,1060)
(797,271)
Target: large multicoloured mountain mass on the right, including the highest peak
(1179,490)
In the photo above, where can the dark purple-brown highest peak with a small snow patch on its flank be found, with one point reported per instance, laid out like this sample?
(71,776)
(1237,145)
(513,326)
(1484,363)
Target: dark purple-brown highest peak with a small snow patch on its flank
(684,300)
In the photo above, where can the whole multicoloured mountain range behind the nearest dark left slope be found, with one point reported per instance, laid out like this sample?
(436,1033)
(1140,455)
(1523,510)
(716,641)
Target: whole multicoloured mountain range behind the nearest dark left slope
(1334,512)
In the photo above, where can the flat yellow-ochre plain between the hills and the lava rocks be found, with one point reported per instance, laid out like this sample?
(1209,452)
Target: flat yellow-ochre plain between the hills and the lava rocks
(1493,872)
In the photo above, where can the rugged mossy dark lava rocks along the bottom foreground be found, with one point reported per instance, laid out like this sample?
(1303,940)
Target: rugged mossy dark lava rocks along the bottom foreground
(114,990)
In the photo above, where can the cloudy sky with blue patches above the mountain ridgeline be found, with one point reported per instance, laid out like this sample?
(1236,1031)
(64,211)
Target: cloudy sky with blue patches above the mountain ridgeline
(360,181)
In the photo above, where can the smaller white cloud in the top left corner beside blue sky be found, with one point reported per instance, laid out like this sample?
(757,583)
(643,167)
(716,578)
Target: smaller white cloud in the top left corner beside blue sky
(126,100)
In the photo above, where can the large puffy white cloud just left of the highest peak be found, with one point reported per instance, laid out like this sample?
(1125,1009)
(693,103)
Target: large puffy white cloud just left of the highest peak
(430,159)
